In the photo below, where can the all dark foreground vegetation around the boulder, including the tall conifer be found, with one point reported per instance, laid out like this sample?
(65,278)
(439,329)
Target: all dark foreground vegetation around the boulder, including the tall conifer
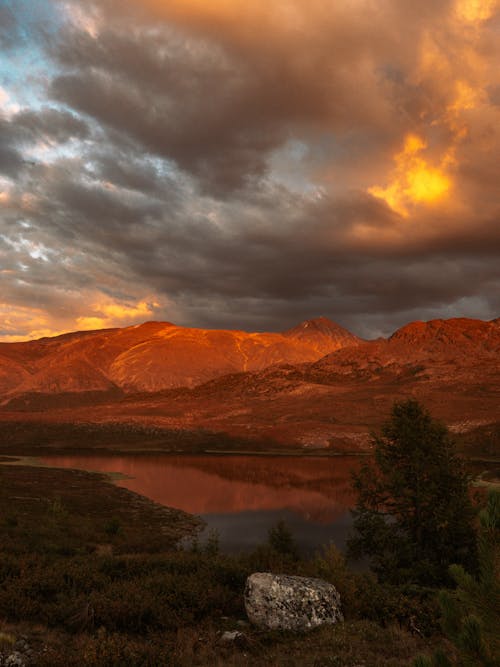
(93,575)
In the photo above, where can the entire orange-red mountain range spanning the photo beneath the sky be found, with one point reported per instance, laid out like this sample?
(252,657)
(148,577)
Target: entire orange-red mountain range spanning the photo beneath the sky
(316,385)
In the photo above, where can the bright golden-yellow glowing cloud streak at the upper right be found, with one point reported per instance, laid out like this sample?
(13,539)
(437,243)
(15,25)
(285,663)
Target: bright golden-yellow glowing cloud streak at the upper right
(417,179)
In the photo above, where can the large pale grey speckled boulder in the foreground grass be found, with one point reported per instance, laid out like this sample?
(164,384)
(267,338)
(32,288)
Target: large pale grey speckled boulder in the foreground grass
(281,602)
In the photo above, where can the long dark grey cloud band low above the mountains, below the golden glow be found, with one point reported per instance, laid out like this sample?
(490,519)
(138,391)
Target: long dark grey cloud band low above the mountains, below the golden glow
(307,266)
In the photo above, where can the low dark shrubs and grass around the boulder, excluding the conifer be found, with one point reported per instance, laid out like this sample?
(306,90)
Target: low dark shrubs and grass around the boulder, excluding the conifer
(91,575)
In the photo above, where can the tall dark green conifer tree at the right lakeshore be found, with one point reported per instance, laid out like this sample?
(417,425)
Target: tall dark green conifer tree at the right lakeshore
(413,516)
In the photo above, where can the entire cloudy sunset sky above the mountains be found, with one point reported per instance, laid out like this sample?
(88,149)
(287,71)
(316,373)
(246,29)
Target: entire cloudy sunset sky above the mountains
(248,164)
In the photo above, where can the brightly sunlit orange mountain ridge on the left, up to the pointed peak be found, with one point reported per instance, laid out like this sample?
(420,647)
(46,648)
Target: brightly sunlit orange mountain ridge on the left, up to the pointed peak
(155,356)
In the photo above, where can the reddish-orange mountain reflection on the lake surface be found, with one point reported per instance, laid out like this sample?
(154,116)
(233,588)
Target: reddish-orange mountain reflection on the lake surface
(317,489)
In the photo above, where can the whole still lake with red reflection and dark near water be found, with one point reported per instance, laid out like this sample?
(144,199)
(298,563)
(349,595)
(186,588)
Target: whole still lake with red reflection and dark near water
(241,497)
